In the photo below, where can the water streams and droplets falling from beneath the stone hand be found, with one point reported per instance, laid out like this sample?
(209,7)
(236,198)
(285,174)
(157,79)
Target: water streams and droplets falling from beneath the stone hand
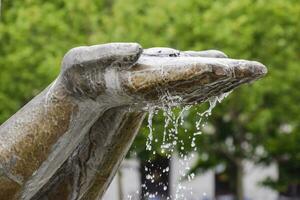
(170,141)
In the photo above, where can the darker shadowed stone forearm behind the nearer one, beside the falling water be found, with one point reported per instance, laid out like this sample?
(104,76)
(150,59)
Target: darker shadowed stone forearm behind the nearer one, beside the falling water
(90,168)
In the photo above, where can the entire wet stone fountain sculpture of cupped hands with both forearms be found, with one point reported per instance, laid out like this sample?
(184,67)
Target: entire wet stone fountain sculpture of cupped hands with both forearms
(68,142)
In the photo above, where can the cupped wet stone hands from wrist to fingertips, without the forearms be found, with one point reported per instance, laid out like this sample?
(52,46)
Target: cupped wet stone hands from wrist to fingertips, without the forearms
(127,74)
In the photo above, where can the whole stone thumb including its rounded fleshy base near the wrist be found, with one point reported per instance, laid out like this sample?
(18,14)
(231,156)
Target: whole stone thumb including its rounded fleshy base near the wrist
(84,68)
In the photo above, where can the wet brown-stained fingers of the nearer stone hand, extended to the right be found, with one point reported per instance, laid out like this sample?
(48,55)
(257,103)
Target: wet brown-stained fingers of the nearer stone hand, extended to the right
(195,79)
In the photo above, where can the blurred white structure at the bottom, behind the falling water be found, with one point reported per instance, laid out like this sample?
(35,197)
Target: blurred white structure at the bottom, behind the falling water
(200,188)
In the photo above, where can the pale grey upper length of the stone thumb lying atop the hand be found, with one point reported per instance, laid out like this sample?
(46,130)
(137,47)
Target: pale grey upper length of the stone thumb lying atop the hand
(104,55)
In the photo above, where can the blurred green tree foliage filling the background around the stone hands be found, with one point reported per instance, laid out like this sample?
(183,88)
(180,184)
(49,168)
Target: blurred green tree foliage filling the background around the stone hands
(259,122)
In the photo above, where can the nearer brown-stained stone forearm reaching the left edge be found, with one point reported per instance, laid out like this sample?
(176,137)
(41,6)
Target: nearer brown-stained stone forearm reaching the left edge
(27,138)
